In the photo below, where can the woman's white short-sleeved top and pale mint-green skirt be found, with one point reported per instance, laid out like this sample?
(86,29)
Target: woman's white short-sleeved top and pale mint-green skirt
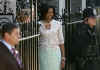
(49,50)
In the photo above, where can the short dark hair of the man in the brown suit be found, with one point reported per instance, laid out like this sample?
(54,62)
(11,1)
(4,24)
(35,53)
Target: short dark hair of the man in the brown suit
(8,28)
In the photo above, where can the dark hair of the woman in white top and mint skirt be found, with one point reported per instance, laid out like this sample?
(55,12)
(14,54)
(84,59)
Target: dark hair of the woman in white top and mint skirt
(44,10)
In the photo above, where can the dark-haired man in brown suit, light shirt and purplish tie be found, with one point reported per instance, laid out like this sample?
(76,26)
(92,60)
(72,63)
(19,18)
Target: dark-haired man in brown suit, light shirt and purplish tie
(10,38)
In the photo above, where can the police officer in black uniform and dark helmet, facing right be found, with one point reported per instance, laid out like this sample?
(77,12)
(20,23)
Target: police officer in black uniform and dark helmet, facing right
(84,50)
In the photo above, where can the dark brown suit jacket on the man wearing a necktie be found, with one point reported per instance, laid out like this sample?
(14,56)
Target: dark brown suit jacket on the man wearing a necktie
(7,60)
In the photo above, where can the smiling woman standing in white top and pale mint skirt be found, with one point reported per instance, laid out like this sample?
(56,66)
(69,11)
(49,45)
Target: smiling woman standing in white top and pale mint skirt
(51,49)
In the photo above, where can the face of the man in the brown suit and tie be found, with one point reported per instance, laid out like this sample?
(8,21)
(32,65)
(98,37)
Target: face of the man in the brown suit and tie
(14,36)
